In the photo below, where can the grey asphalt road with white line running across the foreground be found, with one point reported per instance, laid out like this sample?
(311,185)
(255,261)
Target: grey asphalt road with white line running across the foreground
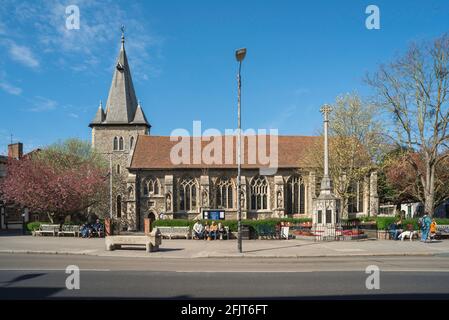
(28,276)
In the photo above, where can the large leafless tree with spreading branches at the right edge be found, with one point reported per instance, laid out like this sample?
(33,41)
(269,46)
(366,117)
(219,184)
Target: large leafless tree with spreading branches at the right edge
(414,91)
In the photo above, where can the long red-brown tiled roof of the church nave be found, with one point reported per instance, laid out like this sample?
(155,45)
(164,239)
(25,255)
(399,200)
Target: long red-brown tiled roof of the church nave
(153,152)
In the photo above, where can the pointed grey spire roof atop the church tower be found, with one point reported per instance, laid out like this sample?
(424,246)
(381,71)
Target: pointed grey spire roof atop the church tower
(122,105)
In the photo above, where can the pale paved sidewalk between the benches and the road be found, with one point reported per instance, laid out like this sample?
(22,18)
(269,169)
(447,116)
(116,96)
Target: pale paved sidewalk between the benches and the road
(225,248)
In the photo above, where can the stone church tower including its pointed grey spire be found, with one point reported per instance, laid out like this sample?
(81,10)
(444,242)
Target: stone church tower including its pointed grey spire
(115,129)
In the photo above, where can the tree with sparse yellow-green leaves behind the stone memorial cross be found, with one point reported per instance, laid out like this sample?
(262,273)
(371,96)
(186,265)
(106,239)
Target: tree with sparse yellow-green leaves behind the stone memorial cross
(355,144)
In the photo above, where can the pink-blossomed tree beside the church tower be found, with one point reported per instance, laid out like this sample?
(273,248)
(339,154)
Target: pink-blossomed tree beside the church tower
(61,180)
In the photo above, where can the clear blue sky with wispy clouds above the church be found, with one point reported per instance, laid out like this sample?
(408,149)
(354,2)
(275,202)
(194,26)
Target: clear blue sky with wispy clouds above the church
(301,54)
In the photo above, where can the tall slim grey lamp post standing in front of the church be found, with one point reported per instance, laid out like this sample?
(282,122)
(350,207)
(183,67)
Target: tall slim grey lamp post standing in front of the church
(239,55)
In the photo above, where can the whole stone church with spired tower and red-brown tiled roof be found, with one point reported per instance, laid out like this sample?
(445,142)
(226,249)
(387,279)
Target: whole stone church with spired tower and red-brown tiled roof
(154,186)
